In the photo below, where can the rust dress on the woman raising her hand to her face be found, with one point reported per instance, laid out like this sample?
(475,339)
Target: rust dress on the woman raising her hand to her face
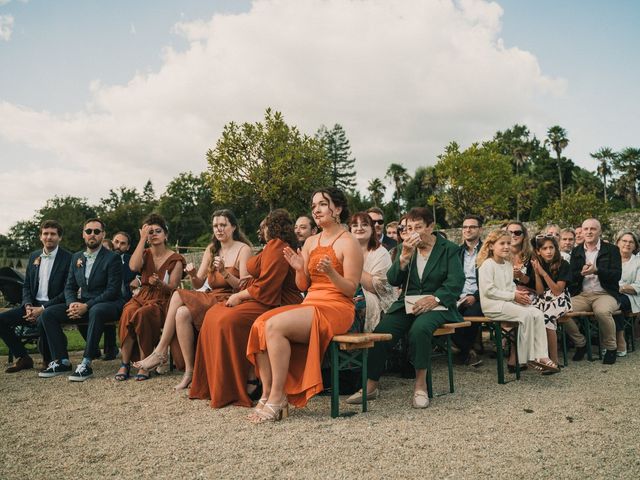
(143,316)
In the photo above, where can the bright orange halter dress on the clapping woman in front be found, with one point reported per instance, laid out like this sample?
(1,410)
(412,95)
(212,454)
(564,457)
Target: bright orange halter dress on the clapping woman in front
(333,315)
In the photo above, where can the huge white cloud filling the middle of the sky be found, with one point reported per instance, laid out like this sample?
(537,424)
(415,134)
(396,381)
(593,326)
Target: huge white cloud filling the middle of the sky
(403,78)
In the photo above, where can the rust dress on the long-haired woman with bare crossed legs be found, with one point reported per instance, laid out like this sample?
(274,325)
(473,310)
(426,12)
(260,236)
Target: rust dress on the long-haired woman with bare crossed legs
(199,302)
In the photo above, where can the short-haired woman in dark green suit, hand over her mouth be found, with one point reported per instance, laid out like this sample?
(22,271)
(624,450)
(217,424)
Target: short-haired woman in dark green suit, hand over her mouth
(429,271)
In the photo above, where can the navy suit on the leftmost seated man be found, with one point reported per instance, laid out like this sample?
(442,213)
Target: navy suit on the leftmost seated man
(14,317)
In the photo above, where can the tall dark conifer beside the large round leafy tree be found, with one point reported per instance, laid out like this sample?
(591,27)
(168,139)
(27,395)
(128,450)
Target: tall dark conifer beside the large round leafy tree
(338,152)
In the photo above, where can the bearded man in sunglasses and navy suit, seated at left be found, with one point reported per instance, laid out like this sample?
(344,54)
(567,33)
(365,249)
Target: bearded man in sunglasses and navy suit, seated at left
(92,294)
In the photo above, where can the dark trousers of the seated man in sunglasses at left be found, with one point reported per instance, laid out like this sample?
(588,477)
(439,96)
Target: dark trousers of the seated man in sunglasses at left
(50,326)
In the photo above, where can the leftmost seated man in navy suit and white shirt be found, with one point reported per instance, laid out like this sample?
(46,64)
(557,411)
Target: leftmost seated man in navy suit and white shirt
(43,287)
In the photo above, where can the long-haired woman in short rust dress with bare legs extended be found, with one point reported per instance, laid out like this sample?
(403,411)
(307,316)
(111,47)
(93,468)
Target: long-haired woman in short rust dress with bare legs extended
(223,265)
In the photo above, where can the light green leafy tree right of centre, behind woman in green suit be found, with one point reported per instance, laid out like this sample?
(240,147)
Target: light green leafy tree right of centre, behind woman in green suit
(478,180)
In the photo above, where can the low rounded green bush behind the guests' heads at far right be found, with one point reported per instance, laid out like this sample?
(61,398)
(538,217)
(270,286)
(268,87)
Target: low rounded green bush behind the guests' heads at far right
(573,209)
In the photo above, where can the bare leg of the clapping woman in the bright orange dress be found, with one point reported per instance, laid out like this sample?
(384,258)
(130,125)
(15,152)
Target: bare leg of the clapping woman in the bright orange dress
(286,327)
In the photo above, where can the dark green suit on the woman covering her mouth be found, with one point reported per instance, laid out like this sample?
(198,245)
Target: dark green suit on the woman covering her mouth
(443,277)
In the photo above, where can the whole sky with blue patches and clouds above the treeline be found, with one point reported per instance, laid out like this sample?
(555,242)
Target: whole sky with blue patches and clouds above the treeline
(95,95)
